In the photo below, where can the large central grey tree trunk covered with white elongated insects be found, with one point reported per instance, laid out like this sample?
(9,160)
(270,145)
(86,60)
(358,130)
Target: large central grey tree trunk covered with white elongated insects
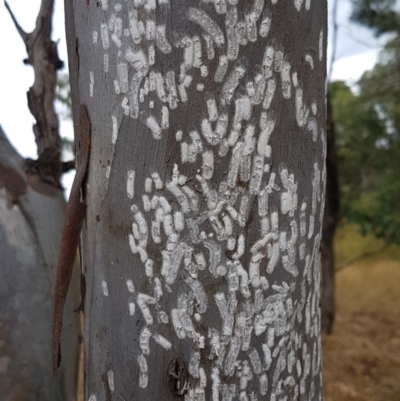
(201,248)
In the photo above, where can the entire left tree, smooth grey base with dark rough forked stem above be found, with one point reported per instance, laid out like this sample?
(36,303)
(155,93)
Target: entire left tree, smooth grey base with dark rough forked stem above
(32,210)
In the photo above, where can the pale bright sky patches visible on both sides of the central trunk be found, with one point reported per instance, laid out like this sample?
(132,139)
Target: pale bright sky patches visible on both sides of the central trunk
(357,51)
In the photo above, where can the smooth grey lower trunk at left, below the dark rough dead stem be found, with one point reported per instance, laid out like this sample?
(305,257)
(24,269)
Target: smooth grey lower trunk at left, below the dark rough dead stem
(31,220)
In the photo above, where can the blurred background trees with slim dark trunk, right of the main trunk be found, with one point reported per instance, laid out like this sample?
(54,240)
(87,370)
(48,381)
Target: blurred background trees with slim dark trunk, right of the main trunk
(363,130)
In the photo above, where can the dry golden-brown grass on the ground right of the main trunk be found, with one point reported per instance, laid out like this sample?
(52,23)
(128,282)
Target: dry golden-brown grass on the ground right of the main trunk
(362,356)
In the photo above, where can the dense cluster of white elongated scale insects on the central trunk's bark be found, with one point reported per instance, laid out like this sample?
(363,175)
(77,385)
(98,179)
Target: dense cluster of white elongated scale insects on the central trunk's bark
(195,222)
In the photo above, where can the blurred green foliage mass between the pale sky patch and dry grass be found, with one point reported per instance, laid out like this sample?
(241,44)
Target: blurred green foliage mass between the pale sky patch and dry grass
(368,147)
